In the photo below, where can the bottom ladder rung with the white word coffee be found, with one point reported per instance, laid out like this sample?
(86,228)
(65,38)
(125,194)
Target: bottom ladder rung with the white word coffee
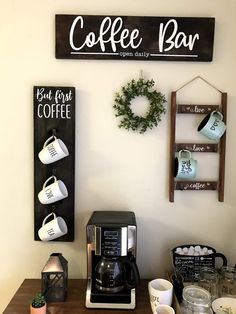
(195,185)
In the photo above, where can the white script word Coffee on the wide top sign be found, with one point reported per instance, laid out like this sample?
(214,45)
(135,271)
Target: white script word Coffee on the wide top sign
(125,37)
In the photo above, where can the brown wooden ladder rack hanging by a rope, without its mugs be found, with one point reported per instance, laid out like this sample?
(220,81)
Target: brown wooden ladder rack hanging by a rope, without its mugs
(220,147)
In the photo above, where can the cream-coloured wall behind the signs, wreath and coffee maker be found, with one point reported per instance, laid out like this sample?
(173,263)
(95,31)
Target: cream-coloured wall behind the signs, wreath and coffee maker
(115,169)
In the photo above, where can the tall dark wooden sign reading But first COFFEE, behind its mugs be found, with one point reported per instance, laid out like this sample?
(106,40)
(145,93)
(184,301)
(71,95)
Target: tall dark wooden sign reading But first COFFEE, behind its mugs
(54,115)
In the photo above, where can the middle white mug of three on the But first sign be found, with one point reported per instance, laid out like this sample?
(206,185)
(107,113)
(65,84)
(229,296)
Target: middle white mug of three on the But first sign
(52,193)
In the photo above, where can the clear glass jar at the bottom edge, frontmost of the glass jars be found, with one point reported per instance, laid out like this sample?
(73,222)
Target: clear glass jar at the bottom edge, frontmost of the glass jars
(195,300)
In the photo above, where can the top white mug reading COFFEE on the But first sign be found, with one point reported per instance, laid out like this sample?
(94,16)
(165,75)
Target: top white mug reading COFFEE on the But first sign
(53,150)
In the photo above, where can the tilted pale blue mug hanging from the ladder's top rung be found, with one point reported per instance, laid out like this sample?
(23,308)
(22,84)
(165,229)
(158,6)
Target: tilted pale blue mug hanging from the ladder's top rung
(212,126)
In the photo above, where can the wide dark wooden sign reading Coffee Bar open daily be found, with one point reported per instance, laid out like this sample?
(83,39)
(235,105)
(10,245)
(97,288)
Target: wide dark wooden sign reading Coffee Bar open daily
(134,37)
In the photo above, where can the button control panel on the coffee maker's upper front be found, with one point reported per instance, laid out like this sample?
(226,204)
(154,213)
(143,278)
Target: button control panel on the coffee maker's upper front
(111,241)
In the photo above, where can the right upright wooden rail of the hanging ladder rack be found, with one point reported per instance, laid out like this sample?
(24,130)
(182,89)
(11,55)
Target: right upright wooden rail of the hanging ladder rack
(222,150)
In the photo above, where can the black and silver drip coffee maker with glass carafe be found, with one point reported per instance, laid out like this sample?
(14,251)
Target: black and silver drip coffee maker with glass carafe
(111,259)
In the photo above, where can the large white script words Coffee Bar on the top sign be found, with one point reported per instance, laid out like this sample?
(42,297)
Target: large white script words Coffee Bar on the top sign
(126,38)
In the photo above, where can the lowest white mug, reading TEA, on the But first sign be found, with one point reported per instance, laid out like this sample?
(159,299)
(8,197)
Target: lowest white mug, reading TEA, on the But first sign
(53,229)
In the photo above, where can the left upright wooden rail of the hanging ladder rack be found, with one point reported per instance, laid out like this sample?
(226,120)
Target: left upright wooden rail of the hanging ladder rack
(172,146)
